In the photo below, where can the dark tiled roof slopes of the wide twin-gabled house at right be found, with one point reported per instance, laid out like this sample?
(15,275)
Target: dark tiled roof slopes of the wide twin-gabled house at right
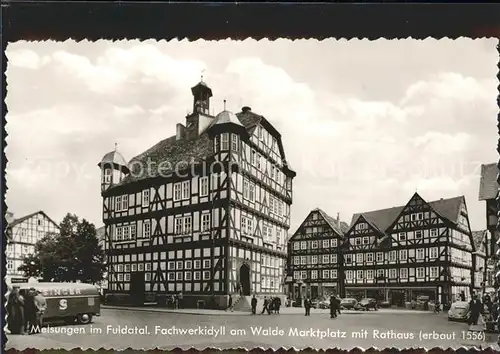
(382,219)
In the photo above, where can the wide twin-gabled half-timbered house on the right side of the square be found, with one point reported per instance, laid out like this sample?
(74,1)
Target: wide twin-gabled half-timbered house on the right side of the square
(401,253)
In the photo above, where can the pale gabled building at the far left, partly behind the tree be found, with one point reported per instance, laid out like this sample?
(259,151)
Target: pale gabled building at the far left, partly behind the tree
(22,235)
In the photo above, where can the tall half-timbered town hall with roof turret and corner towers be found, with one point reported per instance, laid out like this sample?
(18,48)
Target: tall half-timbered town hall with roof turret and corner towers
(203,213)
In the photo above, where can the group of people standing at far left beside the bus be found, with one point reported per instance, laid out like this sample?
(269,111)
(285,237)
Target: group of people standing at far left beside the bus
(25,313)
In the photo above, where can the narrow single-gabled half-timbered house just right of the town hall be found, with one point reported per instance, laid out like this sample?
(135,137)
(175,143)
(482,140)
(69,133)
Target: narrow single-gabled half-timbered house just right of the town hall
(314,265)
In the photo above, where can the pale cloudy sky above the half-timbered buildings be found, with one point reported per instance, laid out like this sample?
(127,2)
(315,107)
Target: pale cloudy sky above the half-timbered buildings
(365,124)
